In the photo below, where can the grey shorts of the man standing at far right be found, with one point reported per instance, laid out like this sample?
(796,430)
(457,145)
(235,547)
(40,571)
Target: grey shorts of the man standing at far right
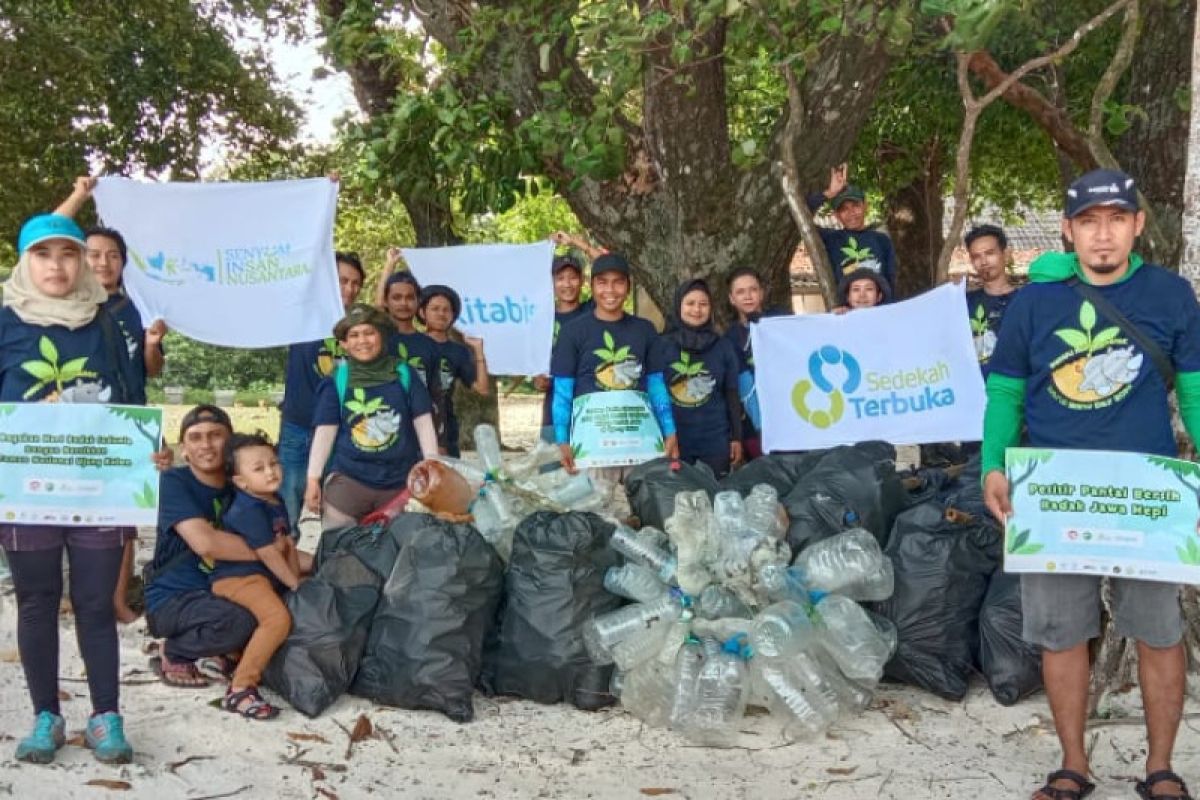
(1063,611)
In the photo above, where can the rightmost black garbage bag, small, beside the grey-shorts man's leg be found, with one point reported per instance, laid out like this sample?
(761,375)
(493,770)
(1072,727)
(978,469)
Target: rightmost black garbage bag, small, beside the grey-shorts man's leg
(1012,666)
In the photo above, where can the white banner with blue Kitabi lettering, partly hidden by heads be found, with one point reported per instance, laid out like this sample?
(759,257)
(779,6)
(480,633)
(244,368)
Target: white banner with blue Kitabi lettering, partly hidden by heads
(508,299)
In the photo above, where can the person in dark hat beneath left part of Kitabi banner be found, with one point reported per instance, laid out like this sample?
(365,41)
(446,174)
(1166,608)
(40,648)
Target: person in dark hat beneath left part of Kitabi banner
(440,311)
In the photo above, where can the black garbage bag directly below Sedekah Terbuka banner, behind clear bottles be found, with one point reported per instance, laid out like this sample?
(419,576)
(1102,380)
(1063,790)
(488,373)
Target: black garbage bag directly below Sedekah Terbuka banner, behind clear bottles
(850,488)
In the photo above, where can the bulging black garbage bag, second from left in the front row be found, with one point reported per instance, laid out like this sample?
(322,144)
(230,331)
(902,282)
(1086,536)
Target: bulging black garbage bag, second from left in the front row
(427,642)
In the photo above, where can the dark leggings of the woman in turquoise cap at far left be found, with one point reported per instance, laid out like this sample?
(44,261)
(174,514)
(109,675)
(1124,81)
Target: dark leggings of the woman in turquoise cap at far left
(38,579)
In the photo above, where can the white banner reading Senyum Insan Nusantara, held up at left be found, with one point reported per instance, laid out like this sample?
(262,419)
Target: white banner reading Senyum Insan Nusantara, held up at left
(237,264)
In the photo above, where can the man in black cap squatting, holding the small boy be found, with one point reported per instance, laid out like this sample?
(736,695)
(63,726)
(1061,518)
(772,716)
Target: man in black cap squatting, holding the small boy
(197,625)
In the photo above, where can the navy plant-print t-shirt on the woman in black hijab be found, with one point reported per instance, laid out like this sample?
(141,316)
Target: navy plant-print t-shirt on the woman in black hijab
(698,383)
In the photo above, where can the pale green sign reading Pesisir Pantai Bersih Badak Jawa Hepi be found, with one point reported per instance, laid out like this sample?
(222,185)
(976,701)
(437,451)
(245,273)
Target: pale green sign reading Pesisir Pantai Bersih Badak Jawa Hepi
(1096,513)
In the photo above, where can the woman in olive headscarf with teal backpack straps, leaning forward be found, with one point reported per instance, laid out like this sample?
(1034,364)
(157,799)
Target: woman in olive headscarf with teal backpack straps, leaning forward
(374,416)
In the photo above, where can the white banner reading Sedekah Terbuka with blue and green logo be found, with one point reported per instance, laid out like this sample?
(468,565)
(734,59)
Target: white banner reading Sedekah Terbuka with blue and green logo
(905,374)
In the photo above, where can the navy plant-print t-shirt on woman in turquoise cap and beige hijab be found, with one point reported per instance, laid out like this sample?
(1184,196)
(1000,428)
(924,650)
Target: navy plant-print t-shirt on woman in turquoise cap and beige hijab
(56,364)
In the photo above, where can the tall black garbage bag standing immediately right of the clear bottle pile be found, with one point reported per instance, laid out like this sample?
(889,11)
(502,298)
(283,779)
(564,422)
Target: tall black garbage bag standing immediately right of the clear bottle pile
(943,569)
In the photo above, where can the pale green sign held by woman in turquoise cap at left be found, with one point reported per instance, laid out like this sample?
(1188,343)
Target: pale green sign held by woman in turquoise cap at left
(79,465)
